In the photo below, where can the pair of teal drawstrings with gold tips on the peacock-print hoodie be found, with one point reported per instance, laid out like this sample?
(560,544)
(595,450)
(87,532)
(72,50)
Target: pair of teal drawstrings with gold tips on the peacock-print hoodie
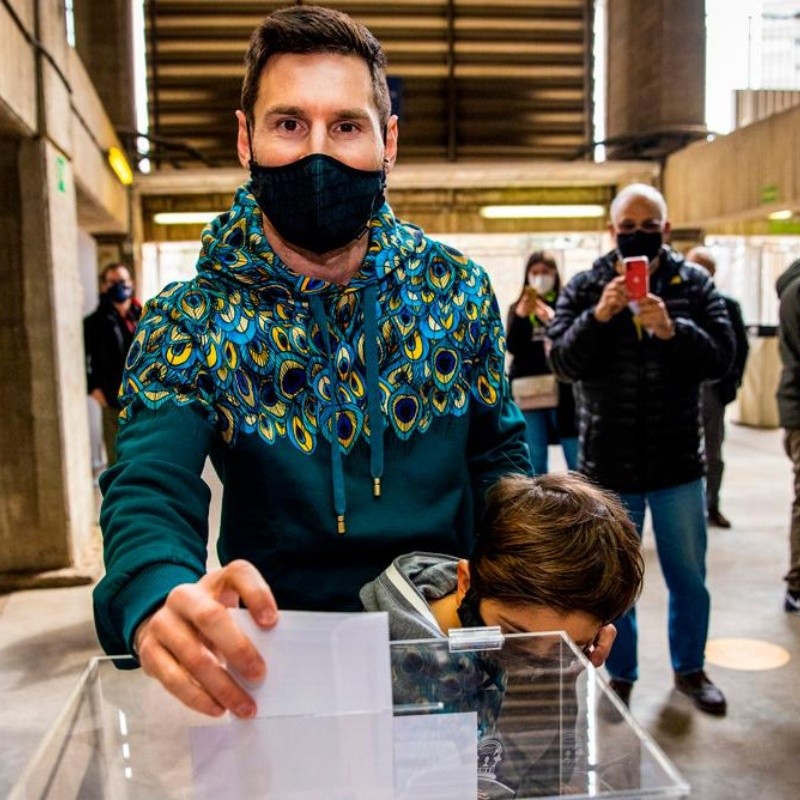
(376,421)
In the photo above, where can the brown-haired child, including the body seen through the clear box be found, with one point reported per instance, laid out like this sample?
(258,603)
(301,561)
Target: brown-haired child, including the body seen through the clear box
(554,553)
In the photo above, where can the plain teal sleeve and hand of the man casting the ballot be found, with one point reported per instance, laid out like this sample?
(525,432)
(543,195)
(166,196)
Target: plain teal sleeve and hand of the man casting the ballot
(156,600)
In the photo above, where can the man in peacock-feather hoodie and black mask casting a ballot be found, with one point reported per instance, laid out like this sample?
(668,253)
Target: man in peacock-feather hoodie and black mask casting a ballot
(343,371)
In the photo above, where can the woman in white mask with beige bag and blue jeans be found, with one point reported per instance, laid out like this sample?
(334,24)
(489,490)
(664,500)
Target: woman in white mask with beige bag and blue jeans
(549,410)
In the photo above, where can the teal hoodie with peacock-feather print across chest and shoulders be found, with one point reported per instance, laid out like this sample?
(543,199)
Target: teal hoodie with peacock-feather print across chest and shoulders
(348,424)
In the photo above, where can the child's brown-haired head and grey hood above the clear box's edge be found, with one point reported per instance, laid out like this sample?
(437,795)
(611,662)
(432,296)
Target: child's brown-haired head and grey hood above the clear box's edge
(554,552)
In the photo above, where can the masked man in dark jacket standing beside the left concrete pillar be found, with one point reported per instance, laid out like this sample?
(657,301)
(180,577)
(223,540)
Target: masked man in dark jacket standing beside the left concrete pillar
(107,335)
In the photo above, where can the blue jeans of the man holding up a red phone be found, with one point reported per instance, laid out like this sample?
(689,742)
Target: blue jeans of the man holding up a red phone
(679,525)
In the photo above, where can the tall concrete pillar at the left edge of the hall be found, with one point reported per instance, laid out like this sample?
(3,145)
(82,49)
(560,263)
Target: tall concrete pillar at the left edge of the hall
(47,508)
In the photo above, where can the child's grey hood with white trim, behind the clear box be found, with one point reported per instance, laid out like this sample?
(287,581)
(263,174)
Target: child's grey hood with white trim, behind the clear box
(405,590)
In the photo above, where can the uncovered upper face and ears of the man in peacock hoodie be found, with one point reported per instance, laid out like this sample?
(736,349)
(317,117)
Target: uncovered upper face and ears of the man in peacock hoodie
(317,103)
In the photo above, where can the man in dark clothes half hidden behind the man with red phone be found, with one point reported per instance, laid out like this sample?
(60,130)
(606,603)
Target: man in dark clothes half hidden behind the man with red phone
(715,395)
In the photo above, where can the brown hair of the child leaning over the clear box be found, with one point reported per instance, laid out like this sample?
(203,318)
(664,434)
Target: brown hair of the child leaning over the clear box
(557,541)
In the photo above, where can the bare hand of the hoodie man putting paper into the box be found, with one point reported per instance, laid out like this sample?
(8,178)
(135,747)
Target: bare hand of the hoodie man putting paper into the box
(188,642)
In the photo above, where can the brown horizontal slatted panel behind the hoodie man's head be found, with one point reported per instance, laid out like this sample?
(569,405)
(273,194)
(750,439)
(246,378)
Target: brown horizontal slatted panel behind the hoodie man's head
(478,79)
